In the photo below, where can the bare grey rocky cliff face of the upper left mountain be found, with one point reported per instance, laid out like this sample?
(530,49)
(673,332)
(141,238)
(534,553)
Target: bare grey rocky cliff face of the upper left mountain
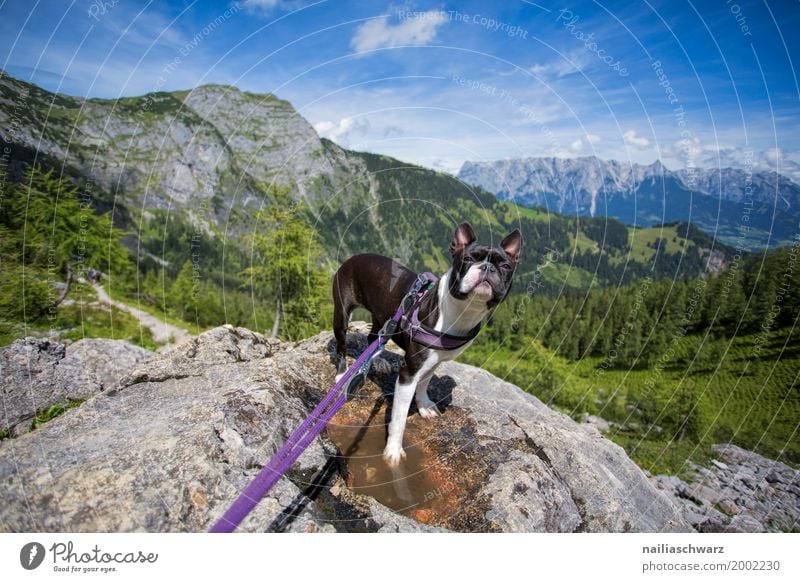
(208,152)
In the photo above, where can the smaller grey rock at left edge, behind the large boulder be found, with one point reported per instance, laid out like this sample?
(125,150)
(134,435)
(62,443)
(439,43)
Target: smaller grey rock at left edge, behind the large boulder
(38,373)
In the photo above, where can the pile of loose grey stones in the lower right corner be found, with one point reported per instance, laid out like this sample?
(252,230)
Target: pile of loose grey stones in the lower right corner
(740,491)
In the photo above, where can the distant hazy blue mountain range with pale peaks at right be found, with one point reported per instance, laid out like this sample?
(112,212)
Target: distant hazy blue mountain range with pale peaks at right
(720,201)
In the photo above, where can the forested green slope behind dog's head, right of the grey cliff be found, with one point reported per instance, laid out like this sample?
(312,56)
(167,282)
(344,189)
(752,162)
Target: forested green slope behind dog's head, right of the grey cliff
(413,210)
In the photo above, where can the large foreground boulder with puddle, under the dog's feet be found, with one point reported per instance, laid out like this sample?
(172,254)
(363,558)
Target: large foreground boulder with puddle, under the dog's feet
(178,438)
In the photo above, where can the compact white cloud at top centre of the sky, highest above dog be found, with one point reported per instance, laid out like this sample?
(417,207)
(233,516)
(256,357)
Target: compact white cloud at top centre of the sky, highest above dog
(379,32)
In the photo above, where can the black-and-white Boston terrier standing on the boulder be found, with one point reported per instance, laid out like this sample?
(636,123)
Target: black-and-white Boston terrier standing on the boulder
(478,280)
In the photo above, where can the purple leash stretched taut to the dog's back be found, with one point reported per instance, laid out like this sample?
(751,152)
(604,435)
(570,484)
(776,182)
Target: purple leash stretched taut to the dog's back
(316,422)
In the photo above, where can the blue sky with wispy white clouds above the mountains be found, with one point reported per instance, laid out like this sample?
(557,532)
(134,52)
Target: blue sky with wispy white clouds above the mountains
(437,83)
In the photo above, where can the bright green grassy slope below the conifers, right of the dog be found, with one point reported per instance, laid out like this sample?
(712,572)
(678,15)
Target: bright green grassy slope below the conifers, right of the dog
(665,419)
